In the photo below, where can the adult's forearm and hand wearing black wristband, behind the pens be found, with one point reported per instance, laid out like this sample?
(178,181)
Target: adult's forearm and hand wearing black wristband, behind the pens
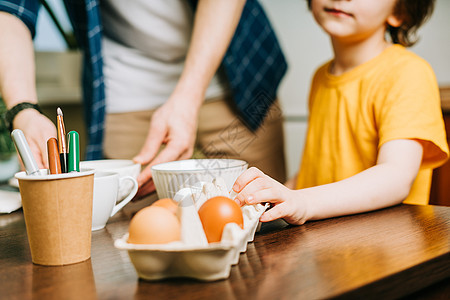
(17,84)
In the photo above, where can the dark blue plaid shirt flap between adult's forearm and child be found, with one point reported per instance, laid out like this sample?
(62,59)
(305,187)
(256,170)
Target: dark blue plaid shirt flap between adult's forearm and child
(255,65)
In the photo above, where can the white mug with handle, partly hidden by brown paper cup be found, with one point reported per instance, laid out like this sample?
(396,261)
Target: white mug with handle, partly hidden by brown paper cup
(106,186)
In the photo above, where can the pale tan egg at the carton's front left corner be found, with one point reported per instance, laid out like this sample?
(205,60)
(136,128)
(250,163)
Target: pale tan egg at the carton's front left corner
(154,225)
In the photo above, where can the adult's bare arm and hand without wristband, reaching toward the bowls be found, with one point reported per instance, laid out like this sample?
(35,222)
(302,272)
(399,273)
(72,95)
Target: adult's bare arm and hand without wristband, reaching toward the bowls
(175,123)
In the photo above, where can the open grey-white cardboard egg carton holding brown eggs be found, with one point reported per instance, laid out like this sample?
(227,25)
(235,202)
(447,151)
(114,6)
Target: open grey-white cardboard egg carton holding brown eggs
(193,256)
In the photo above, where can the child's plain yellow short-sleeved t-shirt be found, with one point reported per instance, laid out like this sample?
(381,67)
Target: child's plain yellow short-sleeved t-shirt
(393,96)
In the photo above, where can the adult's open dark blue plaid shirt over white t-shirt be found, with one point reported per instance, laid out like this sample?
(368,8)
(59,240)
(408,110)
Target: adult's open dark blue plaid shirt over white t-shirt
(254,62)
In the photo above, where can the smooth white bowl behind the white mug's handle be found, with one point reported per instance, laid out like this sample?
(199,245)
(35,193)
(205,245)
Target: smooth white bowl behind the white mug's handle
(124,167)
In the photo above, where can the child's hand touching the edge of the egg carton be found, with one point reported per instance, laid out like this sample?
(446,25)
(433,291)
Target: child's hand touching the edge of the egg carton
(253,186)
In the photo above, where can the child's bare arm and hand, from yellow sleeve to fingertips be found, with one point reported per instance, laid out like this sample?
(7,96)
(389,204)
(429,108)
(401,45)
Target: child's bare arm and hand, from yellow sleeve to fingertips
(385,184)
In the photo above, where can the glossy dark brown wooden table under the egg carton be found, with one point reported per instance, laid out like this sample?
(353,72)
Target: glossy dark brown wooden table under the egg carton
(384,254)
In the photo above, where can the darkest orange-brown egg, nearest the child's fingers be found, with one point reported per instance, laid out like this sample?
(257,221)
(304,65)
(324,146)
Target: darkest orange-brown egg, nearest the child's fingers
(215,213)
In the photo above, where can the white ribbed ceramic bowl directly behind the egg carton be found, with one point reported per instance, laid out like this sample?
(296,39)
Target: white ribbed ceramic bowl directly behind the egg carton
(170,177)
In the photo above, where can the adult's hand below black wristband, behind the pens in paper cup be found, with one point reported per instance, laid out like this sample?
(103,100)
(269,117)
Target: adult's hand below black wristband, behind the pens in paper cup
(37,129)
